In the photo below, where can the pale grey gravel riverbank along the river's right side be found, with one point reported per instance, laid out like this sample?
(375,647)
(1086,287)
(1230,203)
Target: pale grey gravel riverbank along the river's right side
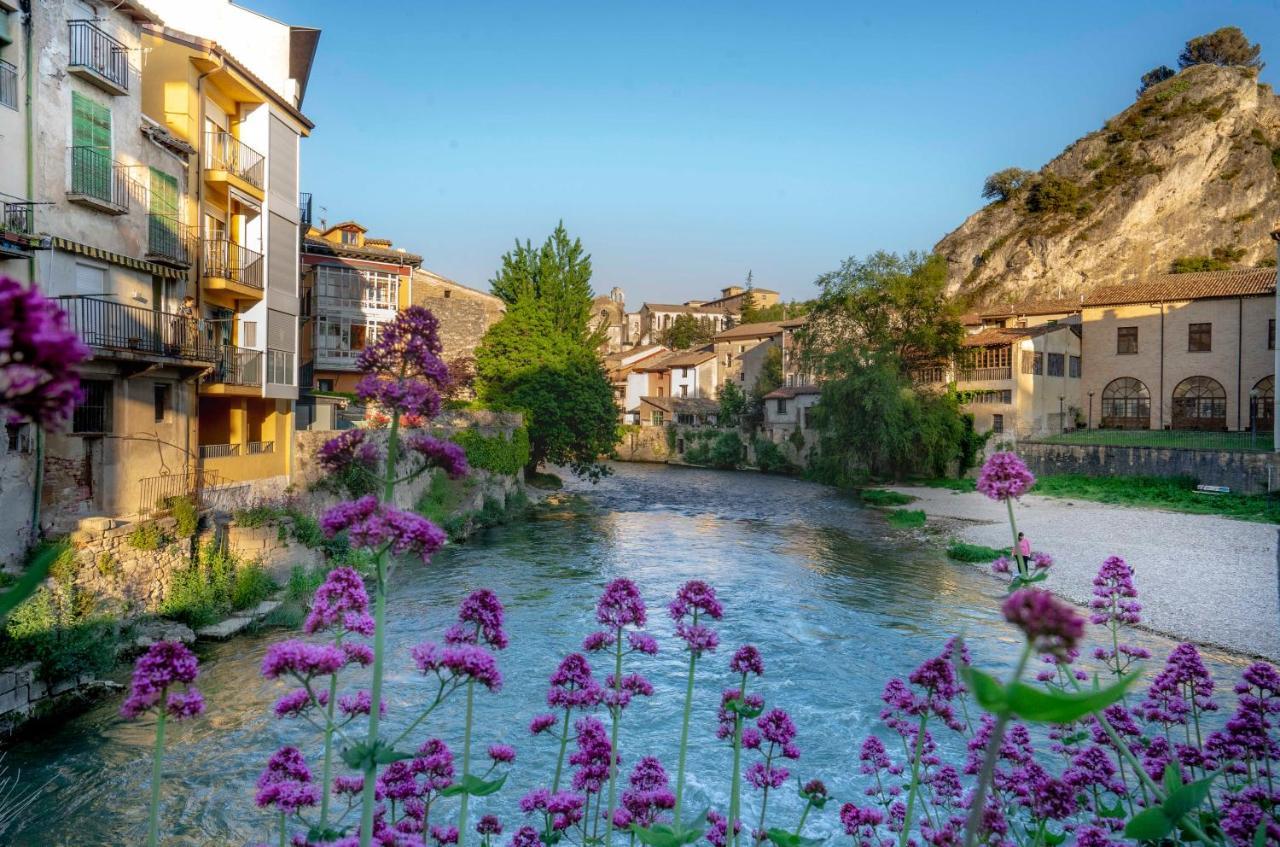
(1200,578)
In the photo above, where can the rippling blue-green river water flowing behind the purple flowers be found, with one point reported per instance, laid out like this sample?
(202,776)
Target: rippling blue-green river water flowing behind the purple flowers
(836,602)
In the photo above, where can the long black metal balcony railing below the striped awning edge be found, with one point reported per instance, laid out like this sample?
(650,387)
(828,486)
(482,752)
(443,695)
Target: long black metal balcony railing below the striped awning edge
(116,327)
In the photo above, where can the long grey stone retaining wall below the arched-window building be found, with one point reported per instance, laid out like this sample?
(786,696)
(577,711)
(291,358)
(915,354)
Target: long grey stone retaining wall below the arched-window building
(1242,473)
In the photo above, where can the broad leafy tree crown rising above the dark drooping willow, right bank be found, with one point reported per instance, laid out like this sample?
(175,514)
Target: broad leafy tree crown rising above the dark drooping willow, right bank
(886,303)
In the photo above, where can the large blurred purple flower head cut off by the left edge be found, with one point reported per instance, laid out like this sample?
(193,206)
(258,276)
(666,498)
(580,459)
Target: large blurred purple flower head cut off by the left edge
(39,359)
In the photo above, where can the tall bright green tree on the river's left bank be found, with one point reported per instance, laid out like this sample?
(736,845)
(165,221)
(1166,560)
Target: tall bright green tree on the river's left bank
(540,359)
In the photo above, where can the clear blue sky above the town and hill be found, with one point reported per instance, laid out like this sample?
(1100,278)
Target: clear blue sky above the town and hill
(689,143)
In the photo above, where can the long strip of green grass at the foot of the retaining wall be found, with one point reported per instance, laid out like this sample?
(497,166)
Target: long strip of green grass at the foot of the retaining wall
(1177,495)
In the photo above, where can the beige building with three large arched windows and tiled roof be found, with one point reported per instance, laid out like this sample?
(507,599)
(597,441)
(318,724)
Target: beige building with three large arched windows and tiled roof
(1183,352)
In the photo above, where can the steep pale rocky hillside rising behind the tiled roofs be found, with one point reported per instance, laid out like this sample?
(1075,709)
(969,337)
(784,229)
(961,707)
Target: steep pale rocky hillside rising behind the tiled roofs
(1191,172)
